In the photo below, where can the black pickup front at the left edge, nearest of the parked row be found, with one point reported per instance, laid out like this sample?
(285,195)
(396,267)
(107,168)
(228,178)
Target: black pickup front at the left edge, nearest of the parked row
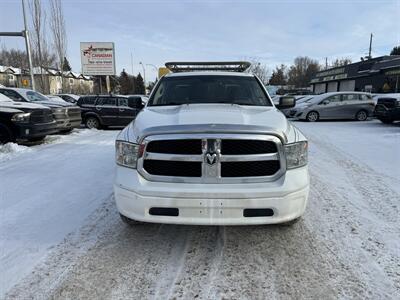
(24,121)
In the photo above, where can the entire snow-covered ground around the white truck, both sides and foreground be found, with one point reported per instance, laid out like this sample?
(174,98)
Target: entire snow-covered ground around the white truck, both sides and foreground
(61,236)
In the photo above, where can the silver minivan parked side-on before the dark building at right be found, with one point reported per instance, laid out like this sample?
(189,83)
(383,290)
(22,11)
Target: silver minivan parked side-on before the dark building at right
(336,105)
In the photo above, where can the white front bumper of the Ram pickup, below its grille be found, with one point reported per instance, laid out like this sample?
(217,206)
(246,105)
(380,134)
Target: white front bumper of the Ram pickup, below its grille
(212,204)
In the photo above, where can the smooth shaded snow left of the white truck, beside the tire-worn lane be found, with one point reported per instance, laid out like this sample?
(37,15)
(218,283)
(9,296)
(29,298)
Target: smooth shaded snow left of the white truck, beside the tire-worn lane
(46,191)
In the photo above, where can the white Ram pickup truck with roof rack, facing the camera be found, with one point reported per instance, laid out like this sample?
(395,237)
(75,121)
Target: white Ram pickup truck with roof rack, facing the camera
(210,148)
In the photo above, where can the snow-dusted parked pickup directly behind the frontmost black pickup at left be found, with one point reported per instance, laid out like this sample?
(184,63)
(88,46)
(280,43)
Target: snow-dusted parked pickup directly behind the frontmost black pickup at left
(67,115)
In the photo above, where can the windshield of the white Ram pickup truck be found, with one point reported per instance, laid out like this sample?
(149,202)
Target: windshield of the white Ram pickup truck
(241,90)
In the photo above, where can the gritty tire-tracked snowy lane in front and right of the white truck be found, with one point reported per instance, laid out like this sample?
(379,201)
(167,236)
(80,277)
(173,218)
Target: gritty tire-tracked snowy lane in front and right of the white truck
(346,246)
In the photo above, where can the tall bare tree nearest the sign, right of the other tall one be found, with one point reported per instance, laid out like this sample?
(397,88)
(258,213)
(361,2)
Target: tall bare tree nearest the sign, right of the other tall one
(57,24)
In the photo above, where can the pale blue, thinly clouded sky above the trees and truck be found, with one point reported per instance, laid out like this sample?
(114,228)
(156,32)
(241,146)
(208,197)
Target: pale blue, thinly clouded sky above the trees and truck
(272,32)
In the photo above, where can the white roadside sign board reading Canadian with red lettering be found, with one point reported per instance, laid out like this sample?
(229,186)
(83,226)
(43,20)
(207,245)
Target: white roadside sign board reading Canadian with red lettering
(97,58)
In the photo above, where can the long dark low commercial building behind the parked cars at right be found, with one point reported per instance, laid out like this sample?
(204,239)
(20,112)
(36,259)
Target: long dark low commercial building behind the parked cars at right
(376,75)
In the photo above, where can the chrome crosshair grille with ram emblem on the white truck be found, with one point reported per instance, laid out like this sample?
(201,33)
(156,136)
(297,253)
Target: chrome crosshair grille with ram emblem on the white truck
(212,159)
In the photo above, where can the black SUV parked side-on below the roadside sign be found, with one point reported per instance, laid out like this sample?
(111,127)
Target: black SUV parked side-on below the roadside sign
(109,110)
